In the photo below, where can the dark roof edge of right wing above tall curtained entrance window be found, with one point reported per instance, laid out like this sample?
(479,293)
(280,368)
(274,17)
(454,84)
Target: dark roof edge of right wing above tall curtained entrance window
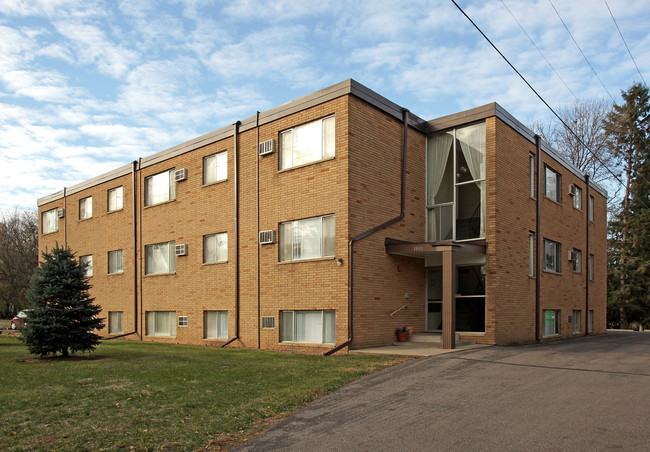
(494,109)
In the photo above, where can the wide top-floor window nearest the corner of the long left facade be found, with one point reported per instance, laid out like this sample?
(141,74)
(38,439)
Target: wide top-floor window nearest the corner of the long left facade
(307,143)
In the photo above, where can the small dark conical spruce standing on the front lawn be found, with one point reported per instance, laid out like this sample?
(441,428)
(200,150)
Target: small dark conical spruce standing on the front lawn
(63,315)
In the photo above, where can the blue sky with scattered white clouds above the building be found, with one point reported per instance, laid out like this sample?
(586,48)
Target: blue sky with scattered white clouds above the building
(88,86)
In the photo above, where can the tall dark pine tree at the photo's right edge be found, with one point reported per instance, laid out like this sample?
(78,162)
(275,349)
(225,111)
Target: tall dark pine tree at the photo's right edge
(629,247)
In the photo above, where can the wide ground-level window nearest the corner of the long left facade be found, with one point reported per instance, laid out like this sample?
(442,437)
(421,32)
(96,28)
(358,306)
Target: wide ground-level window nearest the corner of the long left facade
(308,326)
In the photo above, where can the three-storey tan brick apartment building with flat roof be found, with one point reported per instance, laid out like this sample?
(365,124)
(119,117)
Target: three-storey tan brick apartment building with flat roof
(330,221)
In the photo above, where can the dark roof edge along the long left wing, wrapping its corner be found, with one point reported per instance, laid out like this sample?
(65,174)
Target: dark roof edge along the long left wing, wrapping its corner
(348,86)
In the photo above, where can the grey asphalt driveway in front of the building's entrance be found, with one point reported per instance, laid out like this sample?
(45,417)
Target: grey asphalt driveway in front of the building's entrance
(584,394)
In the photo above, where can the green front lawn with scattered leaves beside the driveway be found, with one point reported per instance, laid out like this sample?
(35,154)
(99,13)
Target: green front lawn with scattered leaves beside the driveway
(144,396)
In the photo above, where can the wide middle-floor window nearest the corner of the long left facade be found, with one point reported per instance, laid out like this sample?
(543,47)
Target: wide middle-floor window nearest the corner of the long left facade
(307,239)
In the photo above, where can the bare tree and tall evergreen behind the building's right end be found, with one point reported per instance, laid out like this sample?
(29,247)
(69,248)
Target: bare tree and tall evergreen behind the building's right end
(612,145)
